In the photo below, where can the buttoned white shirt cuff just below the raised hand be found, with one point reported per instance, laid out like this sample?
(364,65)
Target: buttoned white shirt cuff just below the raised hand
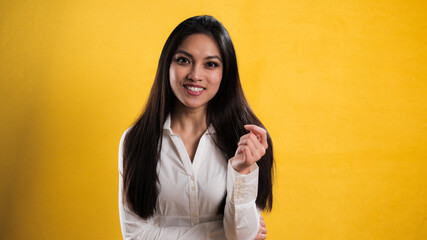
(242,188)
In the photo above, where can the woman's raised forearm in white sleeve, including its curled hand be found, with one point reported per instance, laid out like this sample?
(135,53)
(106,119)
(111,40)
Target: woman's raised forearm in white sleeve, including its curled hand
(241,216)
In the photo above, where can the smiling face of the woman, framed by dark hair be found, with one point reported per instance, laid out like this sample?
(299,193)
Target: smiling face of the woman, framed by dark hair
(196,71)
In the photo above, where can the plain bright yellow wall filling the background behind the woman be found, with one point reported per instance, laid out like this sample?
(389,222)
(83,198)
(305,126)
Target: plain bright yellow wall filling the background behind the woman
(340,85)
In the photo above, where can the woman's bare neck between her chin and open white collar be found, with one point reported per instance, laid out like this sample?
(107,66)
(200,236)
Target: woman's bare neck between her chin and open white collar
(188,121)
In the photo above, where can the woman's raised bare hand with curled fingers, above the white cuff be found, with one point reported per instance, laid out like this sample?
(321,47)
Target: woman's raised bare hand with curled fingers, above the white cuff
(250,149)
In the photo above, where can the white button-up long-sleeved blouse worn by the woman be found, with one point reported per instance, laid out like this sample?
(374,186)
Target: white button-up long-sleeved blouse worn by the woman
(190,194)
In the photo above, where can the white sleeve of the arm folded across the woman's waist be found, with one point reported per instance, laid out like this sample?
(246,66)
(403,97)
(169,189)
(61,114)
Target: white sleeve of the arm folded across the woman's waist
(136,228)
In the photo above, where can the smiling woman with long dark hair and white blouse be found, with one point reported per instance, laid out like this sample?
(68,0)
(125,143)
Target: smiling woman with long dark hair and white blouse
(197,164)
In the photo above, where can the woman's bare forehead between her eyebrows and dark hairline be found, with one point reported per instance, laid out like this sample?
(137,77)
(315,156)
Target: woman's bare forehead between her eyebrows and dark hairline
(200,45)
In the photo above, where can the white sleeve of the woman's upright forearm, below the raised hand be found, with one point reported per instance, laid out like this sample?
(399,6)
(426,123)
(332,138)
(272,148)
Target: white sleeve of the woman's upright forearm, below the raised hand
(241,215)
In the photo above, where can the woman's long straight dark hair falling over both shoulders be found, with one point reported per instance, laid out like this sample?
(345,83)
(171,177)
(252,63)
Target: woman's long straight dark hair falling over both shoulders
(228,112)
